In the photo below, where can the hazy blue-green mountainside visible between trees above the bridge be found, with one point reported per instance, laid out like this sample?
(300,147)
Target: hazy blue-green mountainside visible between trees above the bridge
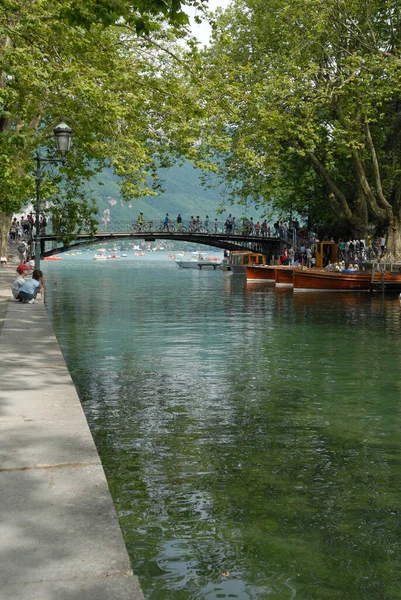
(183,193)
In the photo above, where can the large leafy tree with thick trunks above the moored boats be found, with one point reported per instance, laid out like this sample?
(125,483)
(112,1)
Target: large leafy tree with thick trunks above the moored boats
(313,90)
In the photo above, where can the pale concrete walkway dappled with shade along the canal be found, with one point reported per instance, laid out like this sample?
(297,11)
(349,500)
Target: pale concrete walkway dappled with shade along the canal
(59,535)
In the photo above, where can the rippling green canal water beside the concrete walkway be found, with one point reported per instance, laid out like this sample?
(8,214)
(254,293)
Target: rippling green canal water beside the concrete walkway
(250,437)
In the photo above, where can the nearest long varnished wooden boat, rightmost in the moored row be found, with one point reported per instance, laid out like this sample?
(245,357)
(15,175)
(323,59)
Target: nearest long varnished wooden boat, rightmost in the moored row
(316,280)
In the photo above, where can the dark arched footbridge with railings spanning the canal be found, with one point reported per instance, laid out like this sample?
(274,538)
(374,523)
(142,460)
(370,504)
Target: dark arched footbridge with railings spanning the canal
(270,246)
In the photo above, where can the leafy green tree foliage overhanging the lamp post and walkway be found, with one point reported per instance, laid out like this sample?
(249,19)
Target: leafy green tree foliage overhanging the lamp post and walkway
(119,91)
